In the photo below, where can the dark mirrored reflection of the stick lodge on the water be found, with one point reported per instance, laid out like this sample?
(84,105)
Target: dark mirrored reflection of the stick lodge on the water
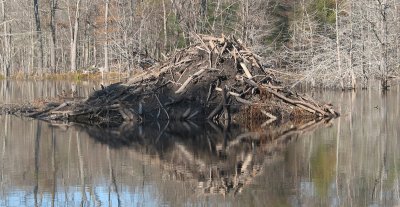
(215,159)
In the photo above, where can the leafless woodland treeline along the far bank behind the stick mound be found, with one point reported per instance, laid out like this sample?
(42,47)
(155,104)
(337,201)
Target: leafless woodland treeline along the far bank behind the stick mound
(334,43)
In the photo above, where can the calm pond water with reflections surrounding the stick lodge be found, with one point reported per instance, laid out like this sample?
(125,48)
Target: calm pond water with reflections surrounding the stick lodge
(354,161)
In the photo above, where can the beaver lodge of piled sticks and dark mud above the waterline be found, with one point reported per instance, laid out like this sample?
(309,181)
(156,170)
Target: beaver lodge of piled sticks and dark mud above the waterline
(215,79)
